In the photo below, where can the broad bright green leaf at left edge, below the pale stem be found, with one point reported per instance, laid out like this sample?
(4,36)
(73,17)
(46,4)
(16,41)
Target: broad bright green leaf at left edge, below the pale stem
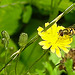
(9,17)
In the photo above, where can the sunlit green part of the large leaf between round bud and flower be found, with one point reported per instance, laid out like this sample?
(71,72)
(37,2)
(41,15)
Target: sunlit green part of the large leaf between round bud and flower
(31,54)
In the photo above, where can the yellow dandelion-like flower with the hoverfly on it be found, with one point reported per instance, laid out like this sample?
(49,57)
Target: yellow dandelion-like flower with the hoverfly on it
(52,40)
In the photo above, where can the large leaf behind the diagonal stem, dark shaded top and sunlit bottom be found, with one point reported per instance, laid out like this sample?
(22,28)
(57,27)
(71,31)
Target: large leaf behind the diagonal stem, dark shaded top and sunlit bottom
(34,51)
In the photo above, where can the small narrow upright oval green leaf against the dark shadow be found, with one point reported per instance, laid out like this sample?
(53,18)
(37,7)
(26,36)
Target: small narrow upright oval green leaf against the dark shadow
(27,14)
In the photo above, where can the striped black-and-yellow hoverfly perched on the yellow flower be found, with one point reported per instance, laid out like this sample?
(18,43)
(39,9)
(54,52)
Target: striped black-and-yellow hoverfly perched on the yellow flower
(67,31)
